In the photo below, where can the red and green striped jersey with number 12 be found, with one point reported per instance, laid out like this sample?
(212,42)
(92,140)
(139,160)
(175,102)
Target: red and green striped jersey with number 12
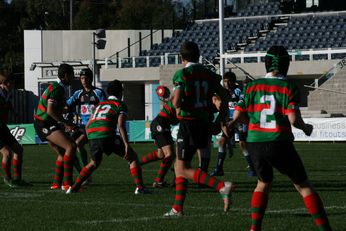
(104,120)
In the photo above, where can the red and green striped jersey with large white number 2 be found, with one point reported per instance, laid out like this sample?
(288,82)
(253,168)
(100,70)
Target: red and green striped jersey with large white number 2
(267,101)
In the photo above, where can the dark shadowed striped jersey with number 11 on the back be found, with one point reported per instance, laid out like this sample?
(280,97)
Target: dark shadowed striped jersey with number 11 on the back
(198,84)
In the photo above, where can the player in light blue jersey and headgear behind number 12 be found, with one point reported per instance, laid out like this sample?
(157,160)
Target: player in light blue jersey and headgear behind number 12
(83,102)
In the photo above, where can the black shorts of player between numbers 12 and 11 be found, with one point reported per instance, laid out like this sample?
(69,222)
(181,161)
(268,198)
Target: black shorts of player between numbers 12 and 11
(161,132)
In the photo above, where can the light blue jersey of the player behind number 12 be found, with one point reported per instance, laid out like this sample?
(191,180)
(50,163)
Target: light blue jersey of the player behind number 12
(85,101)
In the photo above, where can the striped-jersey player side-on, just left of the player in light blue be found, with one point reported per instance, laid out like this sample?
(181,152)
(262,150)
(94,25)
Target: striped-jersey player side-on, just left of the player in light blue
(50,126)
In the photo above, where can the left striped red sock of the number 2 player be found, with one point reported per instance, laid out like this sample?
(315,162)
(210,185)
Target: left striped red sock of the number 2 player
(258,206)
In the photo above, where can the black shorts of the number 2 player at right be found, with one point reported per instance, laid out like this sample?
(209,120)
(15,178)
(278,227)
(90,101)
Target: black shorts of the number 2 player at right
(279,155)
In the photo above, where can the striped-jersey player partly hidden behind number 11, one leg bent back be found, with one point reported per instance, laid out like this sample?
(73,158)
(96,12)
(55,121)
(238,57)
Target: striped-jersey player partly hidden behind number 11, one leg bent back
(160,129)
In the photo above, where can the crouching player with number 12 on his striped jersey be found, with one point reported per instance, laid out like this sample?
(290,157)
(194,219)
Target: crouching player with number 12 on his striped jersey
(109,115)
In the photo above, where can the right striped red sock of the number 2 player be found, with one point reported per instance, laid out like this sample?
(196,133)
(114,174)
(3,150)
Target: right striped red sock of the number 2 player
(316,209)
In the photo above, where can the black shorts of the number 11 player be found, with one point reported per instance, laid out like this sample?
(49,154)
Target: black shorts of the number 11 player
(192,135)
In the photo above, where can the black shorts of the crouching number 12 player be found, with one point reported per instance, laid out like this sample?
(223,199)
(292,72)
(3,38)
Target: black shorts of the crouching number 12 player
(106,145)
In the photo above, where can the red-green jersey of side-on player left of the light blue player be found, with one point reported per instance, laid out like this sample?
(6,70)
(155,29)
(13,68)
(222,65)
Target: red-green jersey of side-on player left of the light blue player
(55,93)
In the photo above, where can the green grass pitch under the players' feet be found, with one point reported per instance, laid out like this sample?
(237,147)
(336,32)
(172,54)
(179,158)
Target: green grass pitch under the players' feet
(109,202)
